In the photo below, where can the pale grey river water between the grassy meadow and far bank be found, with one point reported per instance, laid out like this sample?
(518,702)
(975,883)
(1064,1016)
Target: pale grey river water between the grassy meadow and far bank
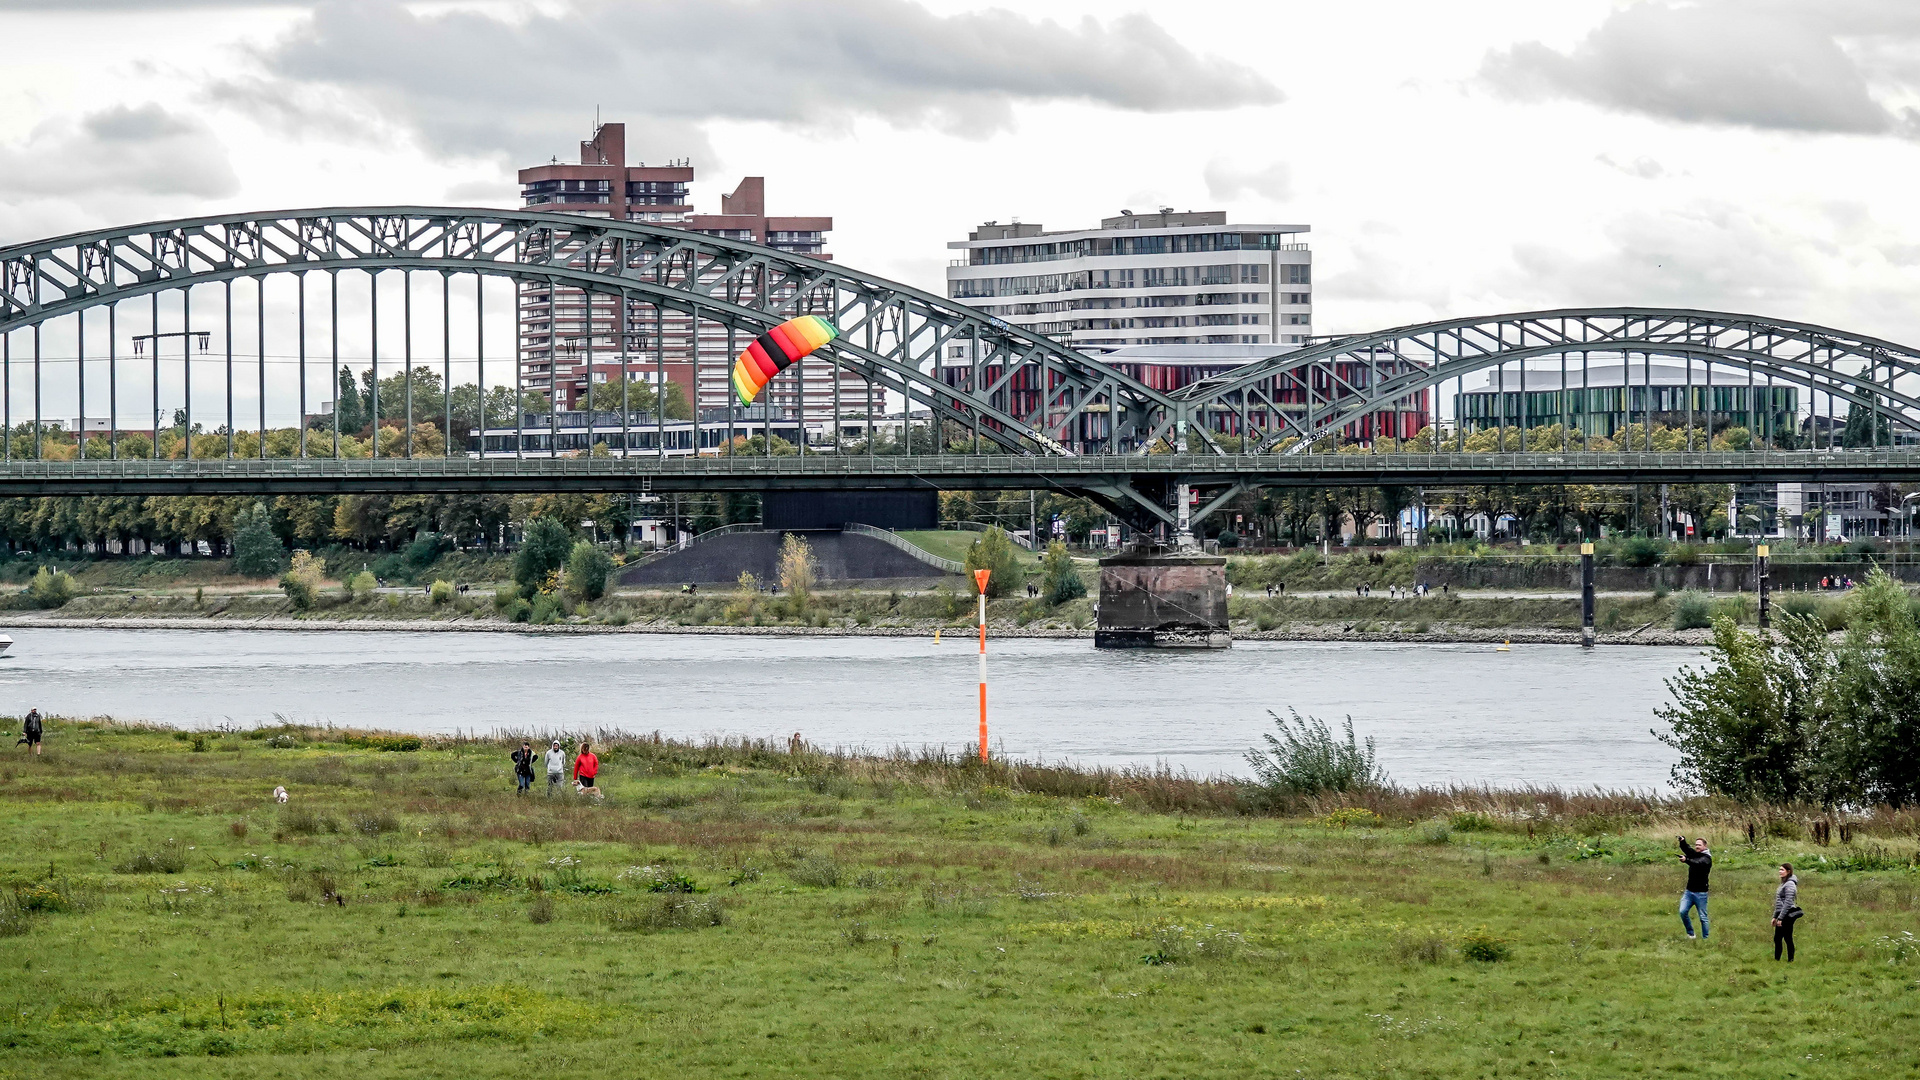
(1554,716)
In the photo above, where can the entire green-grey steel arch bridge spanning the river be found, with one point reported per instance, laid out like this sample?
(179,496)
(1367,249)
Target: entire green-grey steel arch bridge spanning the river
(1020,393)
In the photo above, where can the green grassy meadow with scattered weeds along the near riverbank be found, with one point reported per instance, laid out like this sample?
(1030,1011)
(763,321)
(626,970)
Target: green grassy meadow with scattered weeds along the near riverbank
(408,916)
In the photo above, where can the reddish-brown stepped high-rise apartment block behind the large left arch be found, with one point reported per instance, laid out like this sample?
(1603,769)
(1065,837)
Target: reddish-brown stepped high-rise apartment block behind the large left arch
(565,343)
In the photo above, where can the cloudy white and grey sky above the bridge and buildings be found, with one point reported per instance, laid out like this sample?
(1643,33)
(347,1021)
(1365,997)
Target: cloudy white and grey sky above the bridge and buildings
(1451,159)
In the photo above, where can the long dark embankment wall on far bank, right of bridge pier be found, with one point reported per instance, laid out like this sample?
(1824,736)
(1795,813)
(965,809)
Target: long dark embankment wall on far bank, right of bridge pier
(1723,577)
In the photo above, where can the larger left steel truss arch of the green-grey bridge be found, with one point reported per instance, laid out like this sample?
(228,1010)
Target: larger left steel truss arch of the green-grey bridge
(1015,389)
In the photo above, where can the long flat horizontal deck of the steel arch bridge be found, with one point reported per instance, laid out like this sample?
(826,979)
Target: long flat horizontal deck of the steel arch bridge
(466,476)
